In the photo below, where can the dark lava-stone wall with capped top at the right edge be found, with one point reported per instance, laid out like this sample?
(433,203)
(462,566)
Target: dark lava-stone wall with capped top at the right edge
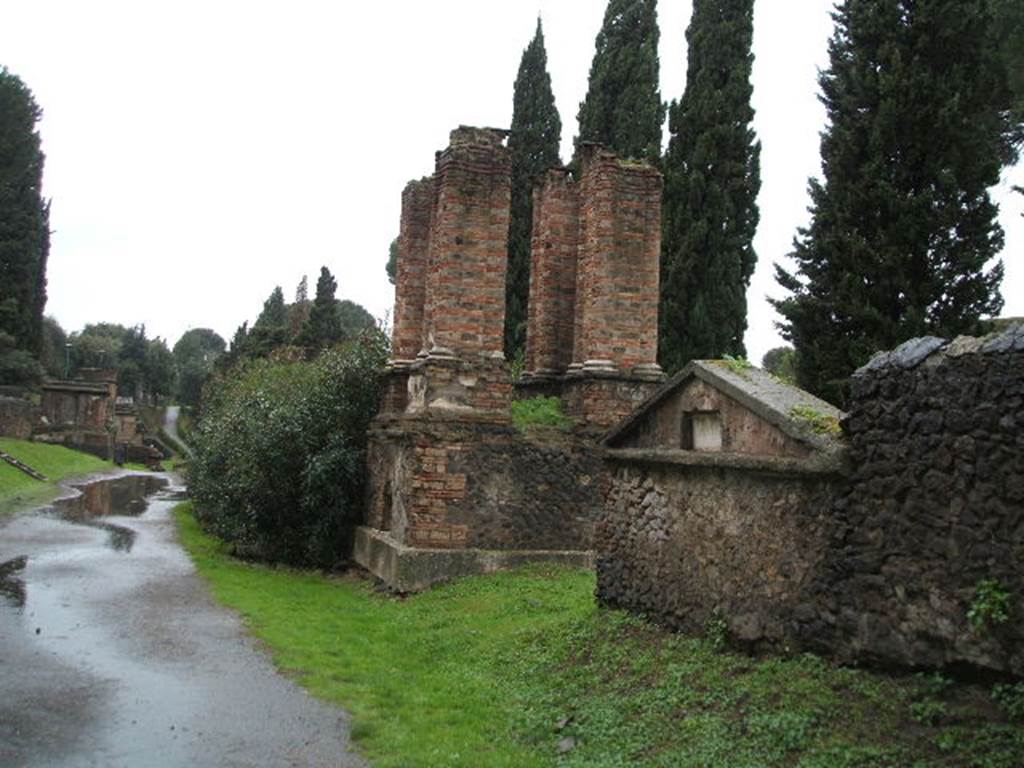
(935,505)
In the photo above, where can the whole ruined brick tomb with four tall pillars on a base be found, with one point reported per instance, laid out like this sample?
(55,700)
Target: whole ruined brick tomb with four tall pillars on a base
(454,489)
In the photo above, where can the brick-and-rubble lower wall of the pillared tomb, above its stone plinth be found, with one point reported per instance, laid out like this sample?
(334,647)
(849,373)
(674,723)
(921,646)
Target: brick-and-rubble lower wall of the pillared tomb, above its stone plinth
(455,484)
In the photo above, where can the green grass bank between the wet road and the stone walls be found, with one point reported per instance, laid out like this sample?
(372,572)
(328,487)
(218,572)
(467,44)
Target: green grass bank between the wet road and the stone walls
(523,669)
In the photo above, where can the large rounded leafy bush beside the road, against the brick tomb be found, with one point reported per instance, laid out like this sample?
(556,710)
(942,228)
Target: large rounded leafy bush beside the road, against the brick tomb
(280,453)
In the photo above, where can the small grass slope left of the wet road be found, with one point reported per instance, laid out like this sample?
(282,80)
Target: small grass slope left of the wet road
(57,462)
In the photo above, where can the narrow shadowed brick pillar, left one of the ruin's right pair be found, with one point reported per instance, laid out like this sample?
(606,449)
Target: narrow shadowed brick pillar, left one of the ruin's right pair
(553,275)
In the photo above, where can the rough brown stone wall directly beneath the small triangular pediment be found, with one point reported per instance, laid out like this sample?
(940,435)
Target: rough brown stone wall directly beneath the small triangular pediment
(689,539)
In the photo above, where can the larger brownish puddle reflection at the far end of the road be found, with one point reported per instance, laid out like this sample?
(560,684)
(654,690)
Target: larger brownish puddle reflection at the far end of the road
(122,497)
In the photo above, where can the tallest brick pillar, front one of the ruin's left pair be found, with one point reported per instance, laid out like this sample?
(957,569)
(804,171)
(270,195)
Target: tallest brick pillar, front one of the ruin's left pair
(465,301)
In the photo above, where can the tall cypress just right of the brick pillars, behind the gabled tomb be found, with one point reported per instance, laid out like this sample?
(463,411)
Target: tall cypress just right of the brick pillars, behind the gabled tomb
(712,180)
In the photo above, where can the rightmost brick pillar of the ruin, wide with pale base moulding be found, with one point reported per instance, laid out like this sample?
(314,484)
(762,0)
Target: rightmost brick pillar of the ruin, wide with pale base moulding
(618,275)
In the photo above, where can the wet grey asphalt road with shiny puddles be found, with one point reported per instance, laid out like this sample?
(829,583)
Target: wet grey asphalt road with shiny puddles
(112,654)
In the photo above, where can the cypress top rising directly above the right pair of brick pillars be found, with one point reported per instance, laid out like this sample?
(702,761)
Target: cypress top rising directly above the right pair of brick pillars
(623,109)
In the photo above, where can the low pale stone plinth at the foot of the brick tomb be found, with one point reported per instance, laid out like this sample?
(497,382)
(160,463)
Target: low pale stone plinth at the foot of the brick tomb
(414,570)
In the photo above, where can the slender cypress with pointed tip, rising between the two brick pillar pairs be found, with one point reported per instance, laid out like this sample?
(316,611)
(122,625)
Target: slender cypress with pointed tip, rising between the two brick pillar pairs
(534,148)
